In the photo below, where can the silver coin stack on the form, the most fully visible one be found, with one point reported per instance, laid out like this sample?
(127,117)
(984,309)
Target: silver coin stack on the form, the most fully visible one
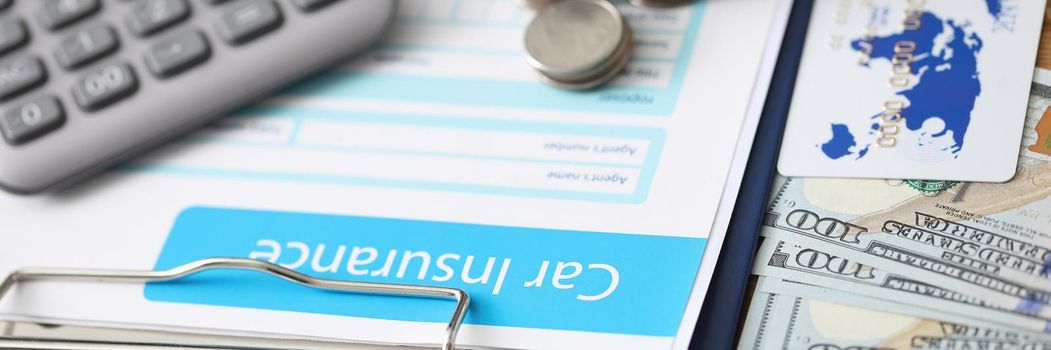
(579,45)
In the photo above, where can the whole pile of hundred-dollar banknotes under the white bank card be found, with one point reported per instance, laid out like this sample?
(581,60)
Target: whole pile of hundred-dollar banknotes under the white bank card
(893,264)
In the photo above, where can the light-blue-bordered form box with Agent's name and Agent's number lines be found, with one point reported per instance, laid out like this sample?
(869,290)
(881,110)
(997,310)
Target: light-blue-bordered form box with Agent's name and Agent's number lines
(612,164)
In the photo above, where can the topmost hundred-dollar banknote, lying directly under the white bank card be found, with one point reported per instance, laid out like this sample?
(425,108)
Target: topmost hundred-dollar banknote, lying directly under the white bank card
(993,241)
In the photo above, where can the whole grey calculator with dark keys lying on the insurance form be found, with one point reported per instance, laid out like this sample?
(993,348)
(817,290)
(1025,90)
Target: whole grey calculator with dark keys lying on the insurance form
(88,84)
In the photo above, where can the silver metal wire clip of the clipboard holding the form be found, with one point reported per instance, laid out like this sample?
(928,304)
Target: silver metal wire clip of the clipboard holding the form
(13,336)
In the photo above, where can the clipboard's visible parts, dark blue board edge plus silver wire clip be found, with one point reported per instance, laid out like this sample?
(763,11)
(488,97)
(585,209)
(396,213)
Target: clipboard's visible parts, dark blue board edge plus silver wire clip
(716,328)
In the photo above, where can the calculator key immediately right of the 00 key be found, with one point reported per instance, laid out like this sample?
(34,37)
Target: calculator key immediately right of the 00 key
(175,55)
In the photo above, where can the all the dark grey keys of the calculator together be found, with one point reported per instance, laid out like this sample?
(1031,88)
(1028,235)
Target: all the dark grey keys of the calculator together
(84,43)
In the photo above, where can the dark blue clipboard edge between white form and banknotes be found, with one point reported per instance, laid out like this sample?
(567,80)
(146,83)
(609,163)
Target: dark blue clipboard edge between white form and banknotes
(717,325)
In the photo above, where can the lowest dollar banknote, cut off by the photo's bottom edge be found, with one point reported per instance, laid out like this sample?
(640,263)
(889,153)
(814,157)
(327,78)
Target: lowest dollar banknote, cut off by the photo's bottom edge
(791,316)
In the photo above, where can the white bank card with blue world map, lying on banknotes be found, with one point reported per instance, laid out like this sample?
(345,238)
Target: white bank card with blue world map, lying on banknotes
(932,90)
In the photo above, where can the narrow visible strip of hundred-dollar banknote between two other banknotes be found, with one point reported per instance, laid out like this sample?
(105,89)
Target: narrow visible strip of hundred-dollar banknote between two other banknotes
(798,262)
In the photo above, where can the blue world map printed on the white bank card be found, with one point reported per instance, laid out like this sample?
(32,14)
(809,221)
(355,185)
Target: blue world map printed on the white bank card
(945,69)
